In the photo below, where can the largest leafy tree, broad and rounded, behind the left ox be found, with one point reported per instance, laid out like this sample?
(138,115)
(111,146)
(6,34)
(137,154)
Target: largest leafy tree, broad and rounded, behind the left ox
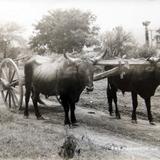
(64,30)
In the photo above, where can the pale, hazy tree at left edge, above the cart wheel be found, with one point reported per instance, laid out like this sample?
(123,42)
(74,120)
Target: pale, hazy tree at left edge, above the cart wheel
(11,40)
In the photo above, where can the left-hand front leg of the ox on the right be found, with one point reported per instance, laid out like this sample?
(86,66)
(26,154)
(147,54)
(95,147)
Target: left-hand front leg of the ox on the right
(135,104)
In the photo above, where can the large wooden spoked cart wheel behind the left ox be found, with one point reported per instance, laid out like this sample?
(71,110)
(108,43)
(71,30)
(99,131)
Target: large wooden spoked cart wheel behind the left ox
(11,85)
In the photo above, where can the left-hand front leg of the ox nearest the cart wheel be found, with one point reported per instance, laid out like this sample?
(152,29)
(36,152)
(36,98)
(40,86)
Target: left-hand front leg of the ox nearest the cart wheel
(65,105)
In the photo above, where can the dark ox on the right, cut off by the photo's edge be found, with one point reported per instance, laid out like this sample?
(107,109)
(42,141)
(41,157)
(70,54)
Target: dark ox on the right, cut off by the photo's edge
(139,80)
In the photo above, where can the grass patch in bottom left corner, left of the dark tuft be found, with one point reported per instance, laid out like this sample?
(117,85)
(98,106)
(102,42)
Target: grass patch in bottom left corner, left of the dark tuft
(26,138)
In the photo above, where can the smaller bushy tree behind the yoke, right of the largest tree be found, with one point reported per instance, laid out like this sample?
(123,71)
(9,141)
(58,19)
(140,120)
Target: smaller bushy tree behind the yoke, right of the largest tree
(118,41)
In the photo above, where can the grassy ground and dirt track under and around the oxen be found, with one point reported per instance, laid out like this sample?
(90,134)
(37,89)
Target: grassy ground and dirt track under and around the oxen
(98,136)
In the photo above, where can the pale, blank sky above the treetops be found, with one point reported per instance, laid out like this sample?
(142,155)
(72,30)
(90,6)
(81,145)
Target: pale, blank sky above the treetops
(110,13)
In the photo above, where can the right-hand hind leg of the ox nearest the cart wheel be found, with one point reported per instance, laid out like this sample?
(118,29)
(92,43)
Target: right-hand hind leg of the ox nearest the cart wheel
(35,99)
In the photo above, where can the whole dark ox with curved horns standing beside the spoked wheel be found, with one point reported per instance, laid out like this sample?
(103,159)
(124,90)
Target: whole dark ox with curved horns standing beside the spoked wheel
(65,77)
